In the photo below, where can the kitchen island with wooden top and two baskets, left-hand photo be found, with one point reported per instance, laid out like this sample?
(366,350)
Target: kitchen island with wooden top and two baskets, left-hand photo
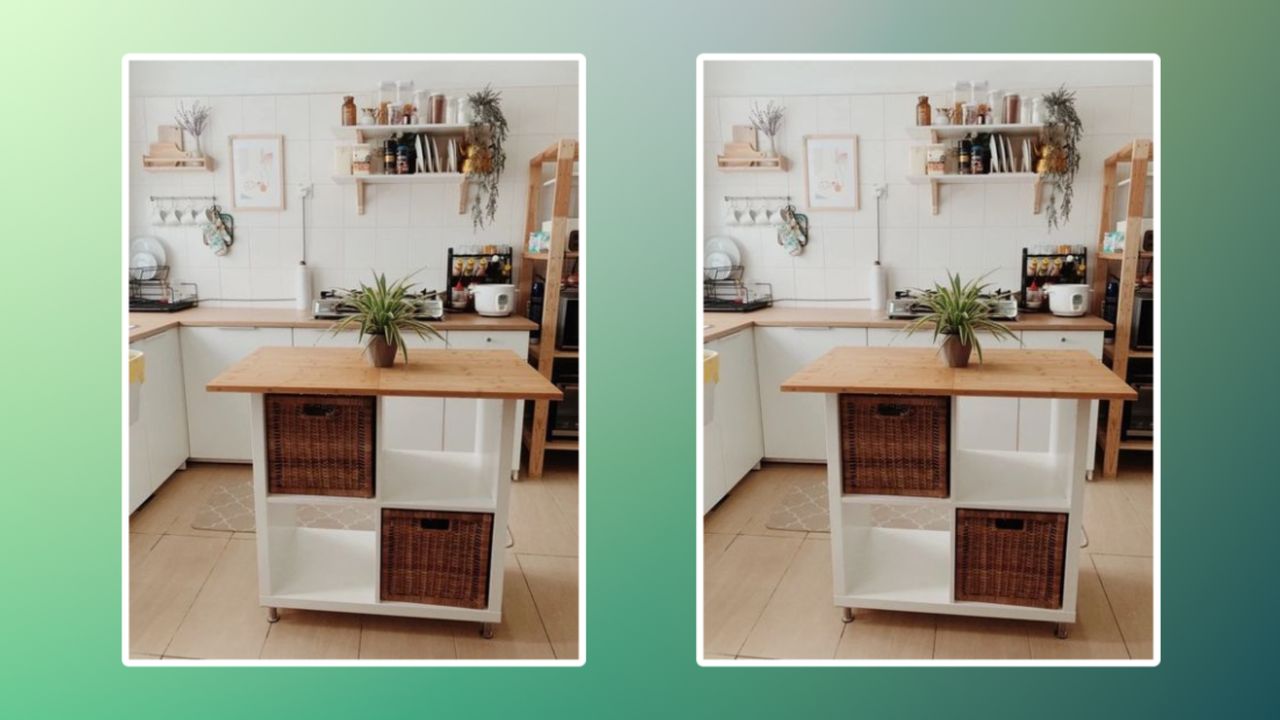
(433,544)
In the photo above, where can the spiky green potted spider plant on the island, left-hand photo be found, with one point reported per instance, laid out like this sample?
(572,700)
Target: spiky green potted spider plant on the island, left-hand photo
(385,312)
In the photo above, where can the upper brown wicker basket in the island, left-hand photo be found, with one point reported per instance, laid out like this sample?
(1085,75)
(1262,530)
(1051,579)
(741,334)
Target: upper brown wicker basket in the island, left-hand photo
(321,445)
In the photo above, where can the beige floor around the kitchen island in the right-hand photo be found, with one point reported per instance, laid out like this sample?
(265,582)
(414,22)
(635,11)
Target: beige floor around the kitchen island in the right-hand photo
(769,593)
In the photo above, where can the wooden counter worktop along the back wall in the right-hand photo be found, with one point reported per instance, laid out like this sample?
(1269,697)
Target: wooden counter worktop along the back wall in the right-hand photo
(724,325)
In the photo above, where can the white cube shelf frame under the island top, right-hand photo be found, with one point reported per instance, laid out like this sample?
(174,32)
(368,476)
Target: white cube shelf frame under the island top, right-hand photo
(913,568)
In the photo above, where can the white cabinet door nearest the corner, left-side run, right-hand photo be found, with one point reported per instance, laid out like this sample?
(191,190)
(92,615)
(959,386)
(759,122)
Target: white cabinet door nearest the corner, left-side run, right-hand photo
(738,408)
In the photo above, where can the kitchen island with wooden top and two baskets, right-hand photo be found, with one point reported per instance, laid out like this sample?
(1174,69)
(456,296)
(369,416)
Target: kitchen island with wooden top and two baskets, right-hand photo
(993,534)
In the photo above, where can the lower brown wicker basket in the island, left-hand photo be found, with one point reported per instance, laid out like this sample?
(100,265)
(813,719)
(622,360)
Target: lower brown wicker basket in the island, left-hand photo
(437,558)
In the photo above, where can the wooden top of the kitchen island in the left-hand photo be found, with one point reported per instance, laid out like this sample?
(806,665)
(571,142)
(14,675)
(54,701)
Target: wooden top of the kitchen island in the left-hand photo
(345,371)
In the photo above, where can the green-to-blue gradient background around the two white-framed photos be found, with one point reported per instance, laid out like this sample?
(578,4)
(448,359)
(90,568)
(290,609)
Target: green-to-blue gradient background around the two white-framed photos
(62,430)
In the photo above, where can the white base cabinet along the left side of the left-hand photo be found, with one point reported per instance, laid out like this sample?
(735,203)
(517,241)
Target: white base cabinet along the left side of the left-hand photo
(158,440)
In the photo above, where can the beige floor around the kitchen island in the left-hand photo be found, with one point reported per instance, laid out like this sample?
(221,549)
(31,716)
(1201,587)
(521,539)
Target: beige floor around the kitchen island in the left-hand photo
(194,594)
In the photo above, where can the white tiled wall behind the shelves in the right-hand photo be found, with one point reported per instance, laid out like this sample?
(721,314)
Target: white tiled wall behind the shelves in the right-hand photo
(980,227)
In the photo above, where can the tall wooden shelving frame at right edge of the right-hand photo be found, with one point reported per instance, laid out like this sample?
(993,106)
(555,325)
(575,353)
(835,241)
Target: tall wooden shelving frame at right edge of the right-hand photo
(1124,265)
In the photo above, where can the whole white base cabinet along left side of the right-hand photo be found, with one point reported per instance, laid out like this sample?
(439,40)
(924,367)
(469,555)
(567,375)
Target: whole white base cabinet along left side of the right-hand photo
(734,440)
